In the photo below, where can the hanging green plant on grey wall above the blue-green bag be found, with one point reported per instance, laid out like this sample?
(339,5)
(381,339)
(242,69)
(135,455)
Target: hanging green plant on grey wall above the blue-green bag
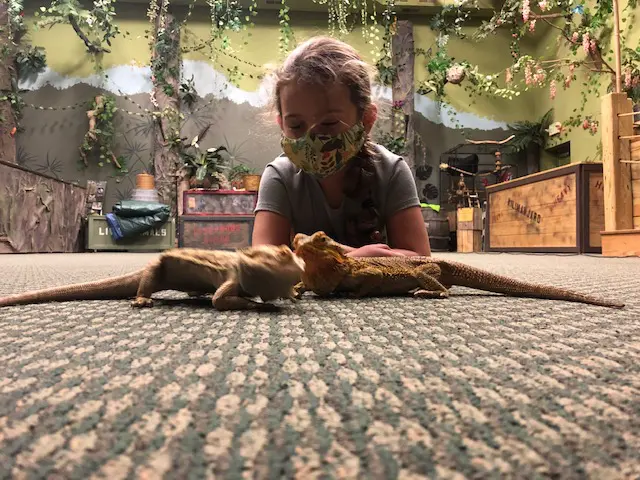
(101,133)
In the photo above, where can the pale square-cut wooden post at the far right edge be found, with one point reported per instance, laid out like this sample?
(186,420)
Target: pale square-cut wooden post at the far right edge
(618,203)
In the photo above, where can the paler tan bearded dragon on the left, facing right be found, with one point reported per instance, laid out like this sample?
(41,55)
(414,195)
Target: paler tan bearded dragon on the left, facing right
(266,271)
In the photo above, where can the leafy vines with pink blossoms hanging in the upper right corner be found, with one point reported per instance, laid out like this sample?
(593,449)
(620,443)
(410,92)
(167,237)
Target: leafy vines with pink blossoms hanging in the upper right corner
(584,31)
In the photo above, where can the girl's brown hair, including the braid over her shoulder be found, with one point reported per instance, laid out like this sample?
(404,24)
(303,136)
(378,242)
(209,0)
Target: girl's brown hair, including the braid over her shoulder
(325,61)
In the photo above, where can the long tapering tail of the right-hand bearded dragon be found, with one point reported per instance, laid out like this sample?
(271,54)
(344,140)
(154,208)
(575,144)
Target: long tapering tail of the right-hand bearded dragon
(468,276)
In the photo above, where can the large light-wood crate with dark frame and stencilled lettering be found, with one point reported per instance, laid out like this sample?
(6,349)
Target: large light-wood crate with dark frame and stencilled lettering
(558,210)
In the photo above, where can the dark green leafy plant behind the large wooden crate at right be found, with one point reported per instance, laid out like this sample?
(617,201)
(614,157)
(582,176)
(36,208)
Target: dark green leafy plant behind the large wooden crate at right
(530,137)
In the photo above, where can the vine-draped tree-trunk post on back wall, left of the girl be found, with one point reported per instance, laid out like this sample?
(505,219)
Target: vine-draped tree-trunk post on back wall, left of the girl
(166,159)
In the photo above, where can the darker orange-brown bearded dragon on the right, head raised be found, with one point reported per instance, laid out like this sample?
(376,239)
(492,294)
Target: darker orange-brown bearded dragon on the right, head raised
(328,270)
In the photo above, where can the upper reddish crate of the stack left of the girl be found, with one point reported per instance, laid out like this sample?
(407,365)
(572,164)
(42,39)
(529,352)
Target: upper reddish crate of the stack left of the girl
(218,202)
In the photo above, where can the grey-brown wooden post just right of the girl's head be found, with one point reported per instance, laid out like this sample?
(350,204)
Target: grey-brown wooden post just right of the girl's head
(403,84)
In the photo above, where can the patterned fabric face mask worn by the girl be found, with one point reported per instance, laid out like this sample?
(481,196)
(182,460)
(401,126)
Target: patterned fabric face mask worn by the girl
(323,155)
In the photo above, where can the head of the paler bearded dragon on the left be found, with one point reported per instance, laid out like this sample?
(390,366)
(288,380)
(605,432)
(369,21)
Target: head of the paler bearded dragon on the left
(269,271)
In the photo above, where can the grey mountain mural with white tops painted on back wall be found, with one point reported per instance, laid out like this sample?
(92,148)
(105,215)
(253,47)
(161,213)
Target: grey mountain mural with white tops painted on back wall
(239,120)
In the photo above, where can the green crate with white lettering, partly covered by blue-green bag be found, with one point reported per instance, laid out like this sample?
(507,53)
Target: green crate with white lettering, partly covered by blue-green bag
(158,239)
